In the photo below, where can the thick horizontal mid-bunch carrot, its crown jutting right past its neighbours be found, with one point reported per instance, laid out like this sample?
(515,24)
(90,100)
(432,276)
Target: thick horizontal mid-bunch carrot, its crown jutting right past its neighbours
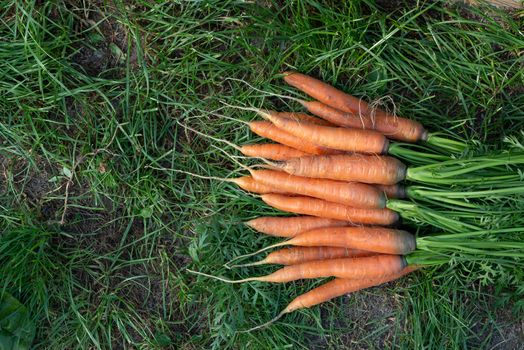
(382,170)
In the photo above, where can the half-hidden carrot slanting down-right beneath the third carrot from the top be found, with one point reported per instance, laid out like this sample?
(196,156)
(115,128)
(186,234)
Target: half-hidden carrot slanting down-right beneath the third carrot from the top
(268,130)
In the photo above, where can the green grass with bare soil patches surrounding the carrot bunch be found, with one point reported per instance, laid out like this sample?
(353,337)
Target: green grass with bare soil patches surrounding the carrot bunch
(97,228)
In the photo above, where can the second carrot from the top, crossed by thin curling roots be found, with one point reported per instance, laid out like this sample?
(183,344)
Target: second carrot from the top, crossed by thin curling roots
(396,128)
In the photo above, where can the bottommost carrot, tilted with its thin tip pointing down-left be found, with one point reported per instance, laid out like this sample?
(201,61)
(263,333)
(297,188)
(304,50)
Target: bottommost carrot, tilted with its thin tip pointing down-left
(332,289)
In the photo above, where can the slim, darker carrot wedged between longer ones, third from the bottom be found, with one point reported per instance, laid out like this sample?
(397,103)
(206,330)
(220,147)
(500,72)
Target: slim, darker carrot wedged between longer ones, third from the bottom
(298,255)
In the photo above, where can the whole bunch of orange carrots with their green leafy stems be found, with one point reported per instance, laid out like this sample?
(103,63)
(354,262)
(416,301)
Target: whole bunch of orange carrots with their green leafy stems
(341,172)
